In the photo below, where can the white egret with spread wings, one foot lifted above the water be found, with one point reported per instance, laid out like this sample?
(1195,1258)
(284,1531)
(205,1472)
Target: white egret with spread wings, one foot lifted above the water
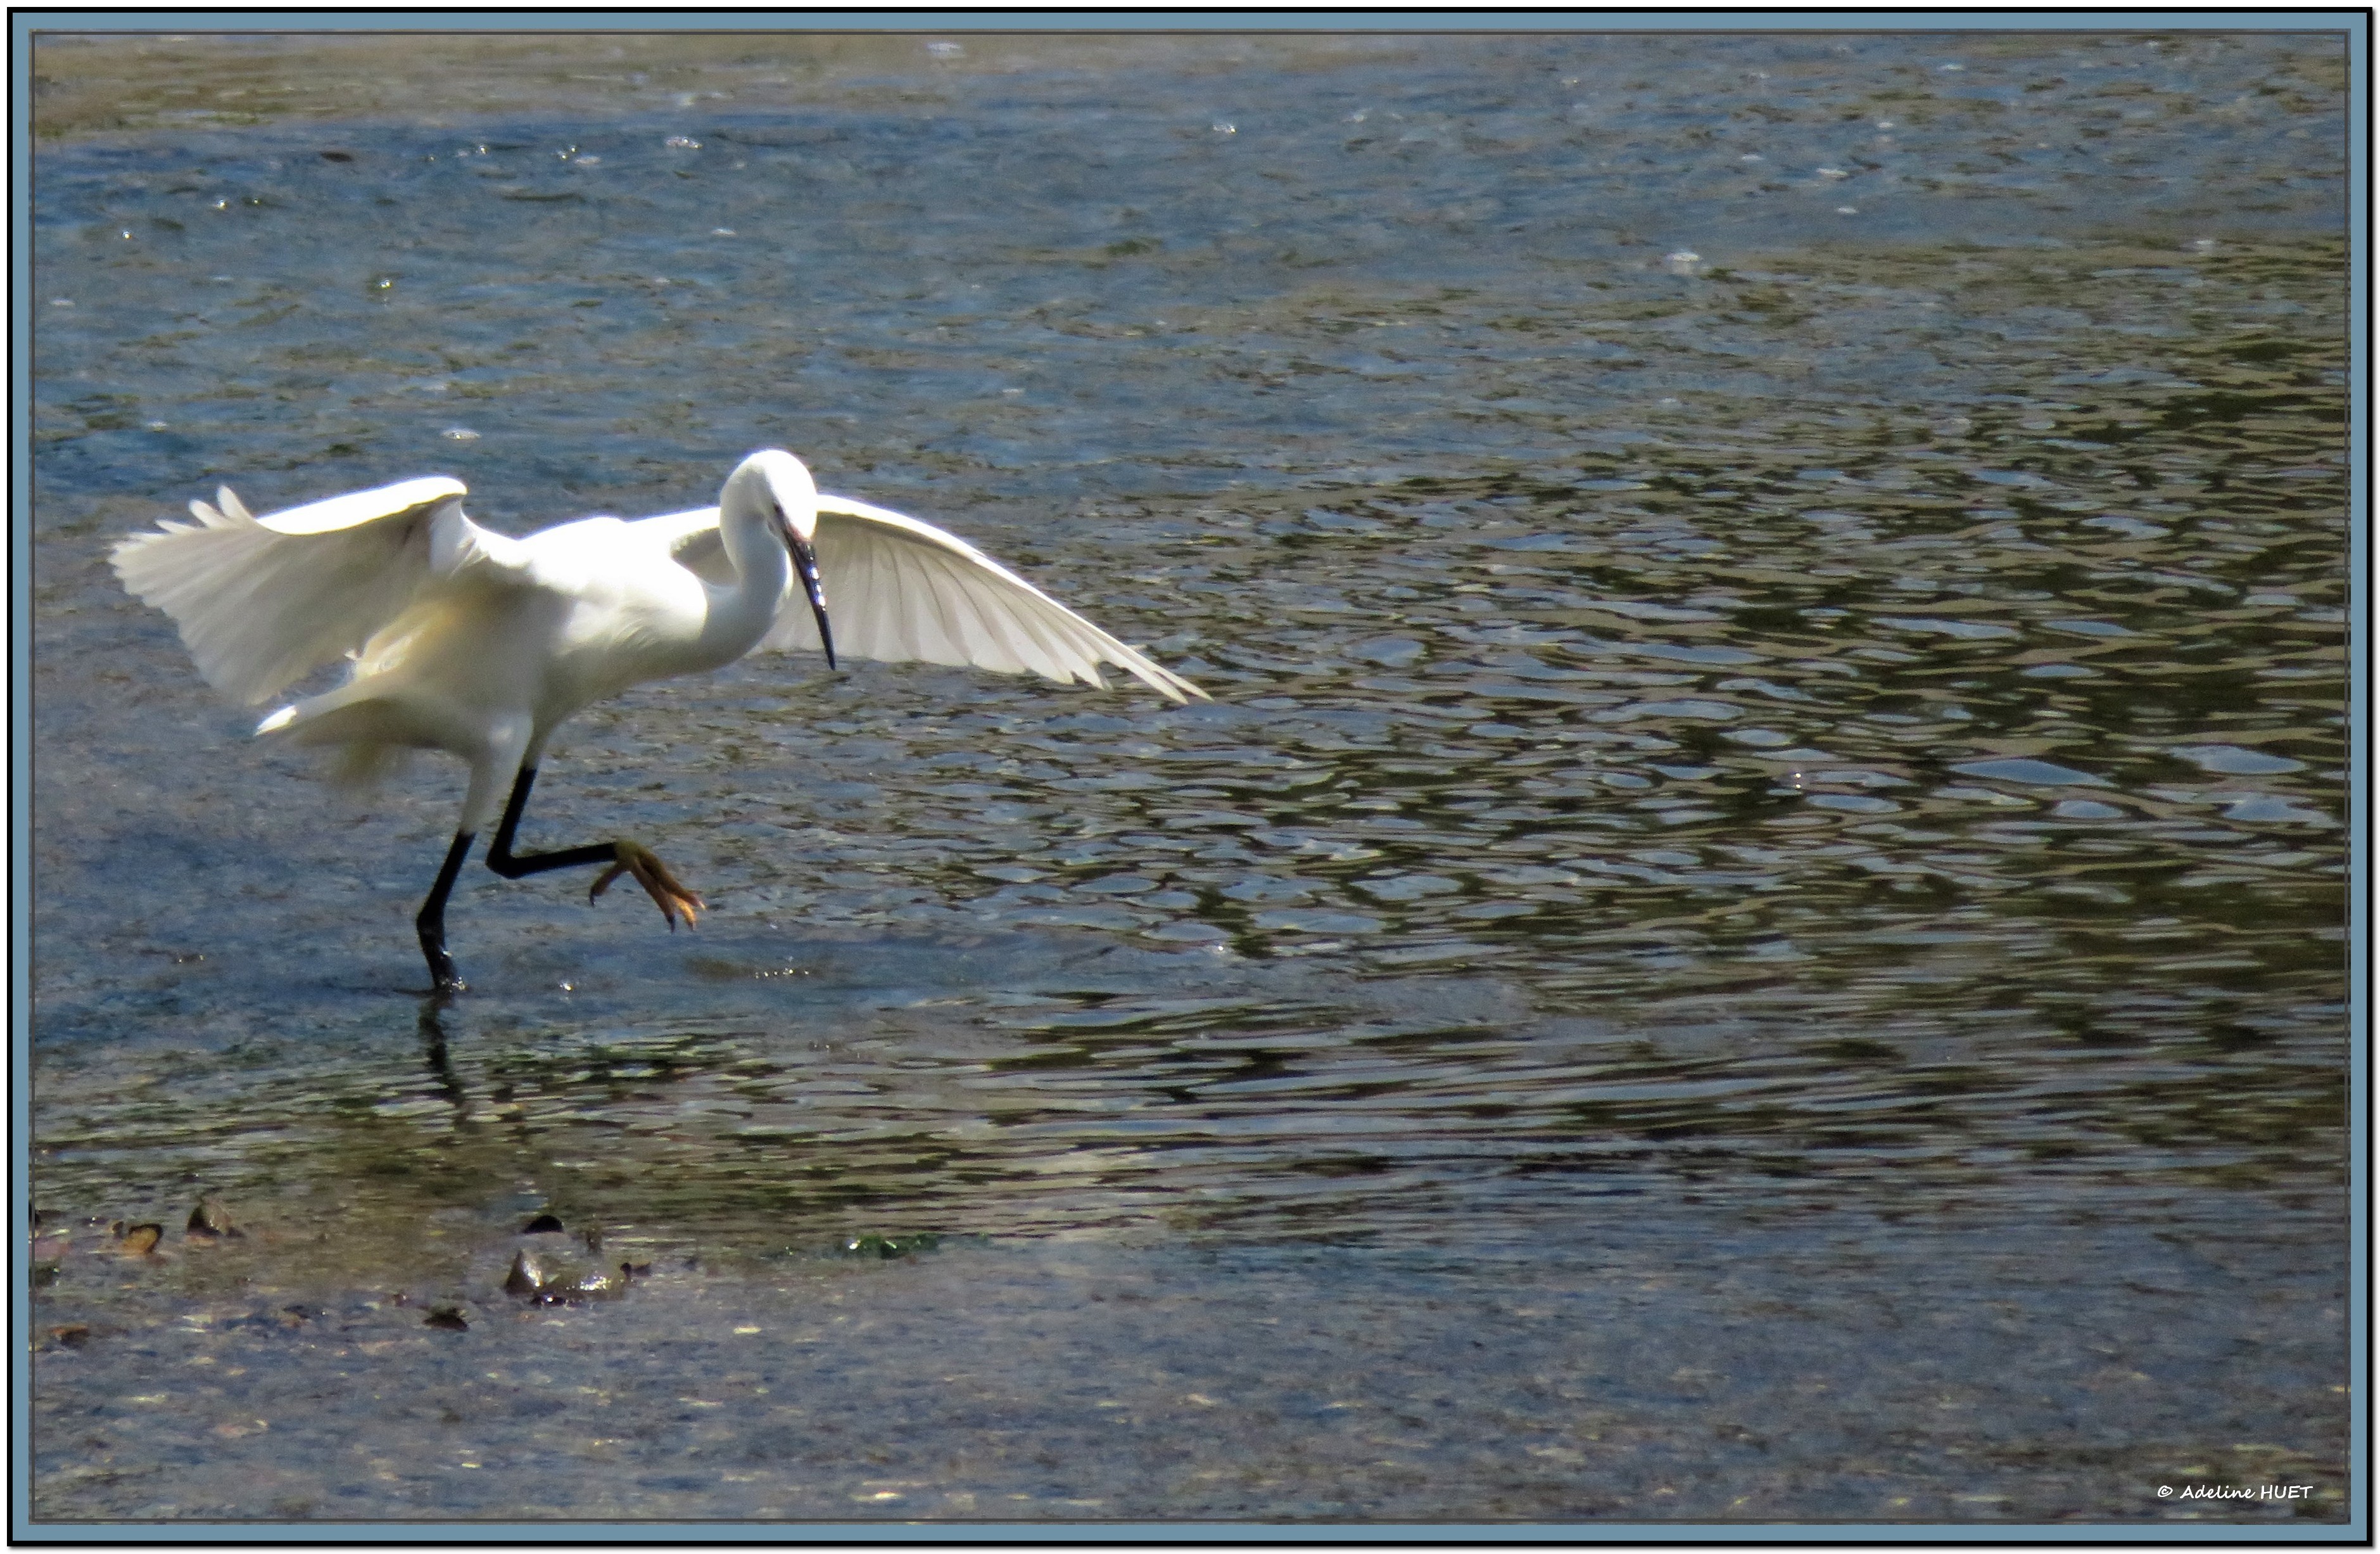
(482,646)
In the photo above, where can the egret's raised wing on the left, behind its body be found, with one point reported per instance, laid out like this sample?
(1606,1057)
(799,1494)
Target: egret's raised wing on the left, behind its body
(263,601)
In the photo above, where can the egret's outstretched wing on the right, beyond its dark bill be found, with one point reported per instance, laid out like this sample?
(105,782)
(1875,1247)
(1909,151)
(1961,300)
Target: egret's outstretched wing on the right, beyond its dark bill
(898,589)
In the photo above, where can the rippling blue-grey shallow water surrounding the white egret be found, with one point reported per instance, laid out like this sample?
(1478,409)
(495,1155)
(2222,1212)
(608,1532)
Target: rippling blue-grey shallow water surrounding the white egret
(1758,920)
